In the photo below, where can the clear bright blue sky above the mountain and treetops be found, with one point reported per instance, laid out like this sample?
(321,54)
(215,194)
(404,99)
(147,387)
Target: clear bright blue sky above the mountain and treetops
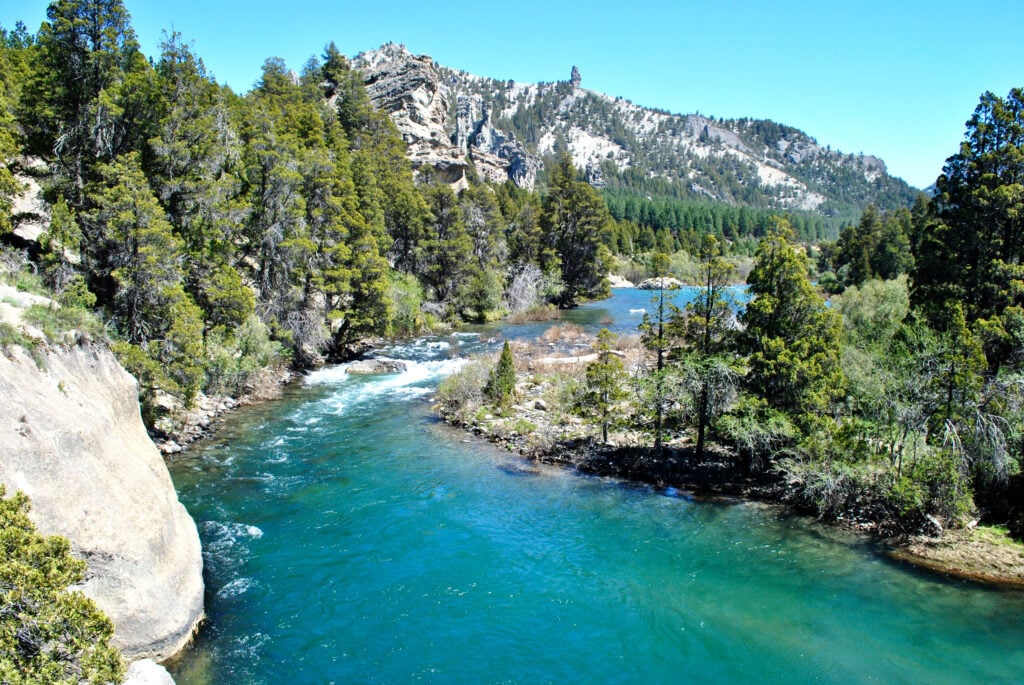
(897,79)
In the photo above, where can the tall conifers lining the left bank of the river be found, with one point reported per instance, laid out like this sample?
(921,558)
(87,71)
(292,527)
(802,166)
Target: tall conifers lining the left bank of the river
(218,235)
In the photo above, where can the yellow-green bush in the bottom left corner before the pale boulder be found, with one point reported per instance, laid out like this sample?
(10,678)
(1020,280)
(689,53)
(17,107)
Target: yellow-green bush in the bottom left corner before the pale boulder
(49,634)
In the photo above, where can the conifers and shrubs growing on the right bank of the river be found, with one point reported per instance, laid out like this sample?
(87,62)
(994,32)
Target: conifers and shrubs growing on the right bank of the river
(900,402)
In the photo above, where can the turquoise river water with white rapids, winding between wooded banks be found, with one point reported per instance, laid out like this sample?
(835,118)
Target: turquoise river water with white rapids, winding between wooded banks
(351,538)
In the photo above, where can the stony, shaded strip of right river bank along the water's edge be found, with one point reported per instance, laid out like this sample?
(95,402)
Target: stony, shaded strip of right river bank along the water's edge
(536,429)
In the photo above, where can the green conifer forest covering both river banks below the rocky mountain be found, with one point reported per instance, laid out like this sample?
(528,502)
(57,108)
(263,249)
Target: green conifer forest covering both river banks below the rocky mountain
(210,236)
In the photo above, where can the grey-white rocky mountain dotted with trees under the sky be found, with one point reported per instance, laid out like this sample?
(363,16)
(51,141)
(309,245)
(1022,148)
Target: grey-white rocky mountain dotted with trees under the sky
(453,120)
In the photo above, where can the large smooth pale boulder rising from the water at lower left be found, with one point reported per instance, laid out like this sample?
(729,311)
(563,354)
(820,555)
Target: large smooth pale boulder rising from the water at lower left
(72,439)
